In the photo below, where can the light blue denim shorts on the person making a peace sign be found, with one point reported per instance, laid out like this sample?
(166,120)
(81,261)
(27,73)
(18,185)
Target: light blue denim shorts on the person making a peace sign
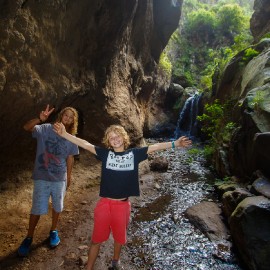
(42,192)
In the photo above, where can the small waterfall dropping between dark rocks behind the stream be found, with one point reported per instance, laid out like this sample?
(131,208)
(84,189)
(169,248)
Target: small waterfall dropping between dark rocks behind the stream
(187,124)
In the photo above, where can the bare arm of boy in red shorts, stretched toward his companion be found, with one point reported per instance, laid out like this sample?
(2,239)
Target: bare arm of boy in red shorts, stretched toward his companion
(59,128)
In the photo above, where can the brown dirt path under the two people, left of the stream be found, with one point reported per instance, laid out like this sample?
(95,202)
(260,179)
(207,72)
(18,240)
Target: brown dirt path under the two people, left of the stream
(75,225)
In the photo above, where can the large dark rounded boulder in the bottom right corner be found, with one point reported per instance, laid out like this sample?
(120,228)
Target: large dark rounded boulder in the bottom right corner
(249,225)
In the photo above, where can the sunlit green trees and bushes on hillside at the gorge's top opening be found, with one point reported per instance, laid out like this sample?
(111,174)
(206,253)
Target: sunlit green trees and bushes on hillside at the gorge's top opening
(209,35)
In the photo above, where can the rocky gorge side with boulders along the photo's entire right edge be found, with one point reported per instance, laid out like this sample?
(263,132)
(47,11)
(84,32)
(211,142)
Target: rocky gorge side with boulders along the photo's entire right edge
(245,158)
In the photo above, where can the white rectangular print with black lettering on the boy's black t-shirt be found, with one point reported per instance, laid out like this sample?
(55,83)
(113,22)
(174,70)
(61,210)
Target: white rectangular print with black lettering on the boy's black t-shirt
(120,162)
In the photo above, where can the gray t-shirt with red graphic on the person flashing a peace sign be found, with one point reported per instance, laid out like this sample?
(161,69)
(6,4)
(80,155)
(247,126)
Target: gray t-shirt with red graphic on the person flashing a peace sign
(52,153)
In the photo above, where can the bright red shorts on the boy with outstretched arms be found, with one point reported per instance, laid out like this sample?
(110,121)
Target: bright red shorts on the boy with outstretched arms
(111,215)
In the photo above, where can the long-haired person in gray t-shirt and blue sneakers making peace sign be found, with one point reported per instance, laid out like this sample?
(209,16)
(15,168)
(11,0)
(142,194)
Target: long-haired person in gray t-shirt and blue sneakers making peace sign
(52,171)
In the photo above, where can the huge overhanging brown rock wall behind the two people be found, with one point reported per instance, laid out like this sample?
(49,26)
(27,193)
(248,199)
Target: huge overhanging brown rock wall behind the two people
(98,56)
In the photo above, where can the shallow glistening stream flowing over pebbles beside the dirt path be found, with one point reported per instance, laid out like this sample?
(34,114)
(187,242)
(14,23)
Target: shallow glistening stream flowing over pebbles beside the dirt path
(162,238)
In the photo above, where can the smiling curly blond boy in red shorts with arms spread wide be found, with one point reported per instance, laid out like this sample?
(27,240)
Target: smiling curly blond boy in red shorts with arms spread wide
(119,181)
